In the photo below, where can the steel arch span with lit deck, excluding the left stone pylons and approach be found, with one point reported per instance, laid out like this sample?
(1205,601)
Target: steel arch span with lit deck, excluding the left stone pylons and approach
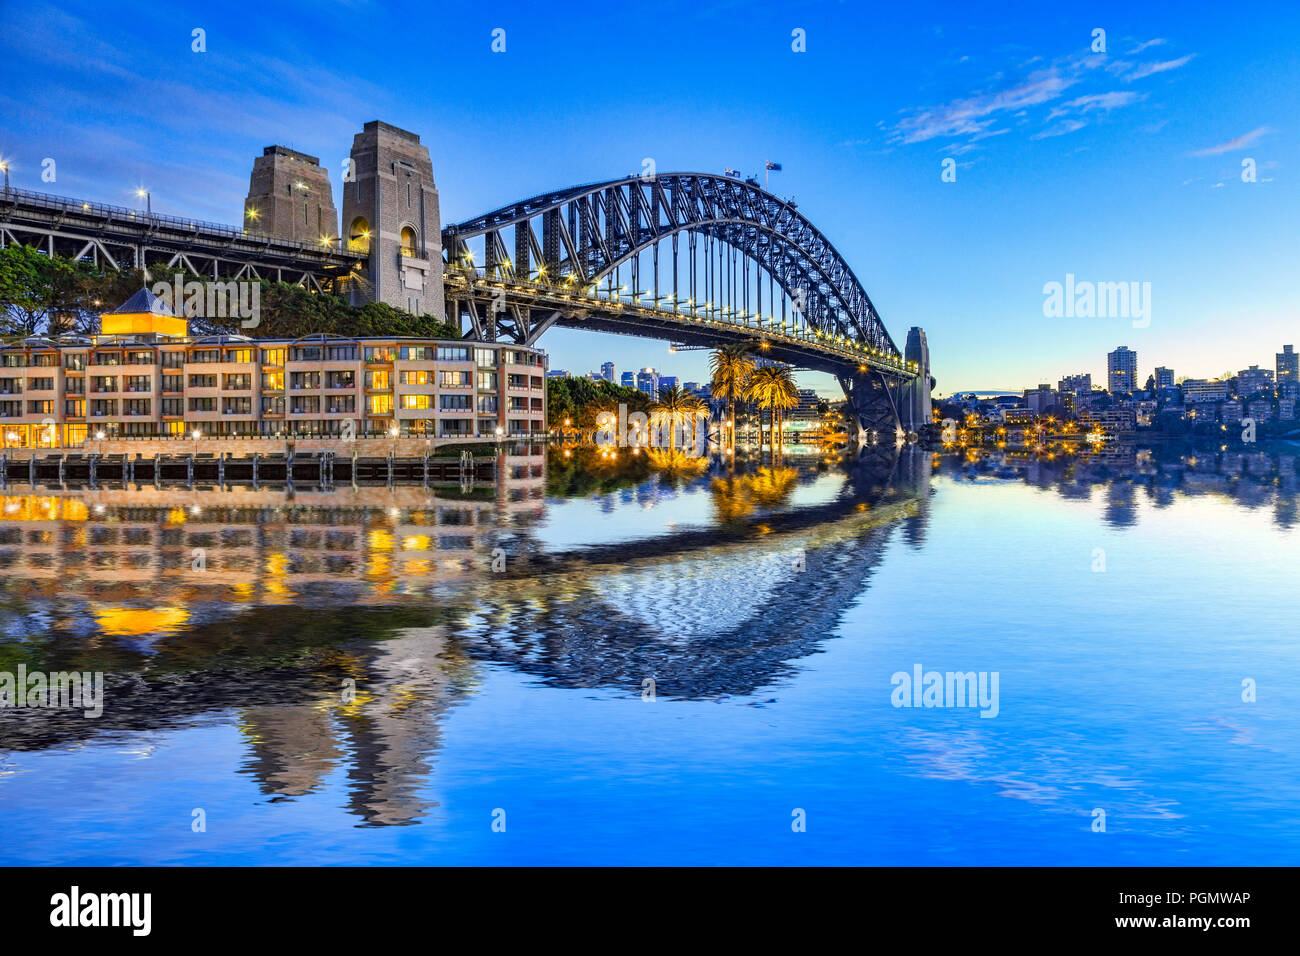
(686,258)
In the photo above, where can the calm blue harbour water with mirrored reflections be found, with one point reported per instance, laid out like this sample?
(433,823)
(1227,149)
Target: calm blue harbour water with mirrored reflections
(348,681)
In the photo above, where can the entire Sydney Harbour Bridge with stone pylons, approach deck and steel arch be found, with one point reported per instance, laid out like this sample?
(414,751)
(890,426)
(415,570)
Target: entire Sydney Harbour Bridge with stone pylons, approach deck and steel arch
(696,259)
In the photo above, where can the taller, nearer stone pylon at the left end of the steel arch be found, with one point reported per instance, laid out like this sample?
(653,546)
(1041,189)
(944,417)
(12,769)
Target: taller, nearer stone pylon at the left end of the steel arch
(391,217)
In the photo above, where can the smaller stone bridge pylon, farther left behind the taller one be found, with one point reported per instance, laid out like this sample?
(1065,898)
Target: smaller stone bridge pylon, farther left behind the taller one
(291,198)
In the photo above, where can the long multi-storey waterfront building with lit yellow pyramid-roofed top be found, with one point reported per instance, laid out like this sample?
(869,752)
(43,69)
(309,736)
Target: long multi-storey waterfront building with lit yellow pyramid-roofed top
(137,382)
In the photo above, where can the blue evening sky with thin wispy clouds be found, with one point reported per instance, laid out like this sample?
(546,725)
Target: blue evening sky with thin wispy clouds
(1124,166)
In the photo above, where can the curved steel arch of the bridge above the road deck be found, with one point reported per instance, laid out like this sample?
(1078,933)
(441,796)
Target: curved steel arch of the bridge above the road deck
(588,235)
